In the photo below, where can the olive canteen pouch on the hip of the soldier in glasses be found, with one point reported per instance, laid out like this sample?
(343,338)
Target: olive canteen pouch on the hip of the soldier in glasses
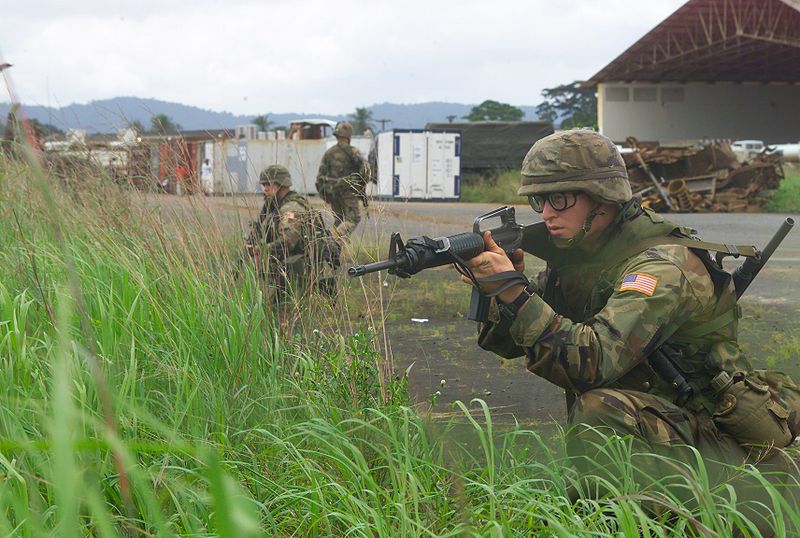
(752,414)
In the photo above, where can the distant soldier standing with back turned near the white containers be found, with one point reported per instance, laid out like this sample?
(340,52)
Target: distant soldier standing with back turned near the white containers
(341,180)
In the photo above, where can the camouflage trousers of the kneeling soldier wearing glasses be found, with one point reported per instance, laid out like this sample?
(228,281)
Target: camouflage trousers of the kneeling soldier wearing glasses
(661,434)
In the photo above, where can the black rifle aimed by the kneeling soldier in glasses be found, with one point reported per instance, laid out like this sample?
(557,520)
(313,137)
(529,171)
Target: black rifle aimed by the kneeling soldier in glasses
(419,253)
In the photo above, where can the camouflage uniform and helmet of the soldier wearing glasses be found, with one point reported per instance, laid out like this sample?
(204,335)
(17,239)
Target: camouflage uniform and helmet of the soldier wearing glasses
(601,311)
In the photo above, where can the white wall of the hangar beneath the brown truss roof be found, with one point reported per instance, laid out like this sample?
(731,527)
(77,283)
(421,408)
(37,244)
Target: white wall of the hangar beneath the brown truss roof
(674,111)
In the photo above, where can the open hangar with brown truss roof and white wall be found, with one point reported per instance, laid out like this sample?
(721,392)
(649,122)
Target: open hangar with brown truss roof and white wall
(712,69)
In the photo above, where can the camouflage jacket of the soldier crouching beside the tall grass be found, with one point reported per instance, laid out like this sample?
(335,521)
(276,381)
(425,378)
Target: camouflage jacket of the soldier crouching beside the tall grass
(282,224)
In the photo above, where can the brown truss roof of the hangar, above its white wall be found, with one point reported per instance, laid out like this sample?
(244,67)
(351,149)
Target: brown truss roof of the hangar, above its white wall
(716,40)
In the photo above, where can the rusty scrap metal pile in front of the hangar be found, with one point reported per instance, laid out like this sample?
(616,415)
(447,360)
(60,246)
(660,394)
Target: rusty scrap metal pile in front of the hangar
(700,177)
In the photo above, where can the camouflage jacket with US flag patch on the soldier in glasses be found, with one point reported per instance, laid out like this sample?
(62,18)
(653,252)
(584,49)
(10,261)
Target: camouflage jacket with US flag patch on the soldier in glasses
(600,313)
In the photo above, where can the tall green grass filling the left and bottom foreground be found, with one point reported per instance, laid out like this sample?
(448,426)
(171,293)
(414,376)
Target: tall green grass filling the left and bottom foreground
(146,392)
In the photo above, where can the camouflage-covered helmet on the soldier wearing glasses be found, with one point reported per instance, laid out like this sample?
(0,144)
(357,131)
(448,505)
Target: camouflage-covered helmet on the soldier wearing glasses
(576,160)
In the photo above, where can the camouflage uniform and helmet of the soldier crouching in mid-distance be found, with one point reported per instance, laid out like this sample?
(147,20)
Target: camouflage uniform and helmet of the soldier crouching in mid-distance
(290,238)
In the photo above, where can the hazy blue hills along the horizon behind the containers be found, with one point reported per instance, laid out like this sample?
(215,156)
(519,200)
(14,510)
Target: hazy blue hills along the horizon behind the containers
(108,115)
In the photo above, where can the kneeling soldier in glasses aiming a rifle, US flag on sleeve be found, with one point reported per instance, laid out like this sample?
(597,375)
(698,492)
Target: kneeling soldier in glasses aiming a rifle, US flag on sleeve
(622,287)
